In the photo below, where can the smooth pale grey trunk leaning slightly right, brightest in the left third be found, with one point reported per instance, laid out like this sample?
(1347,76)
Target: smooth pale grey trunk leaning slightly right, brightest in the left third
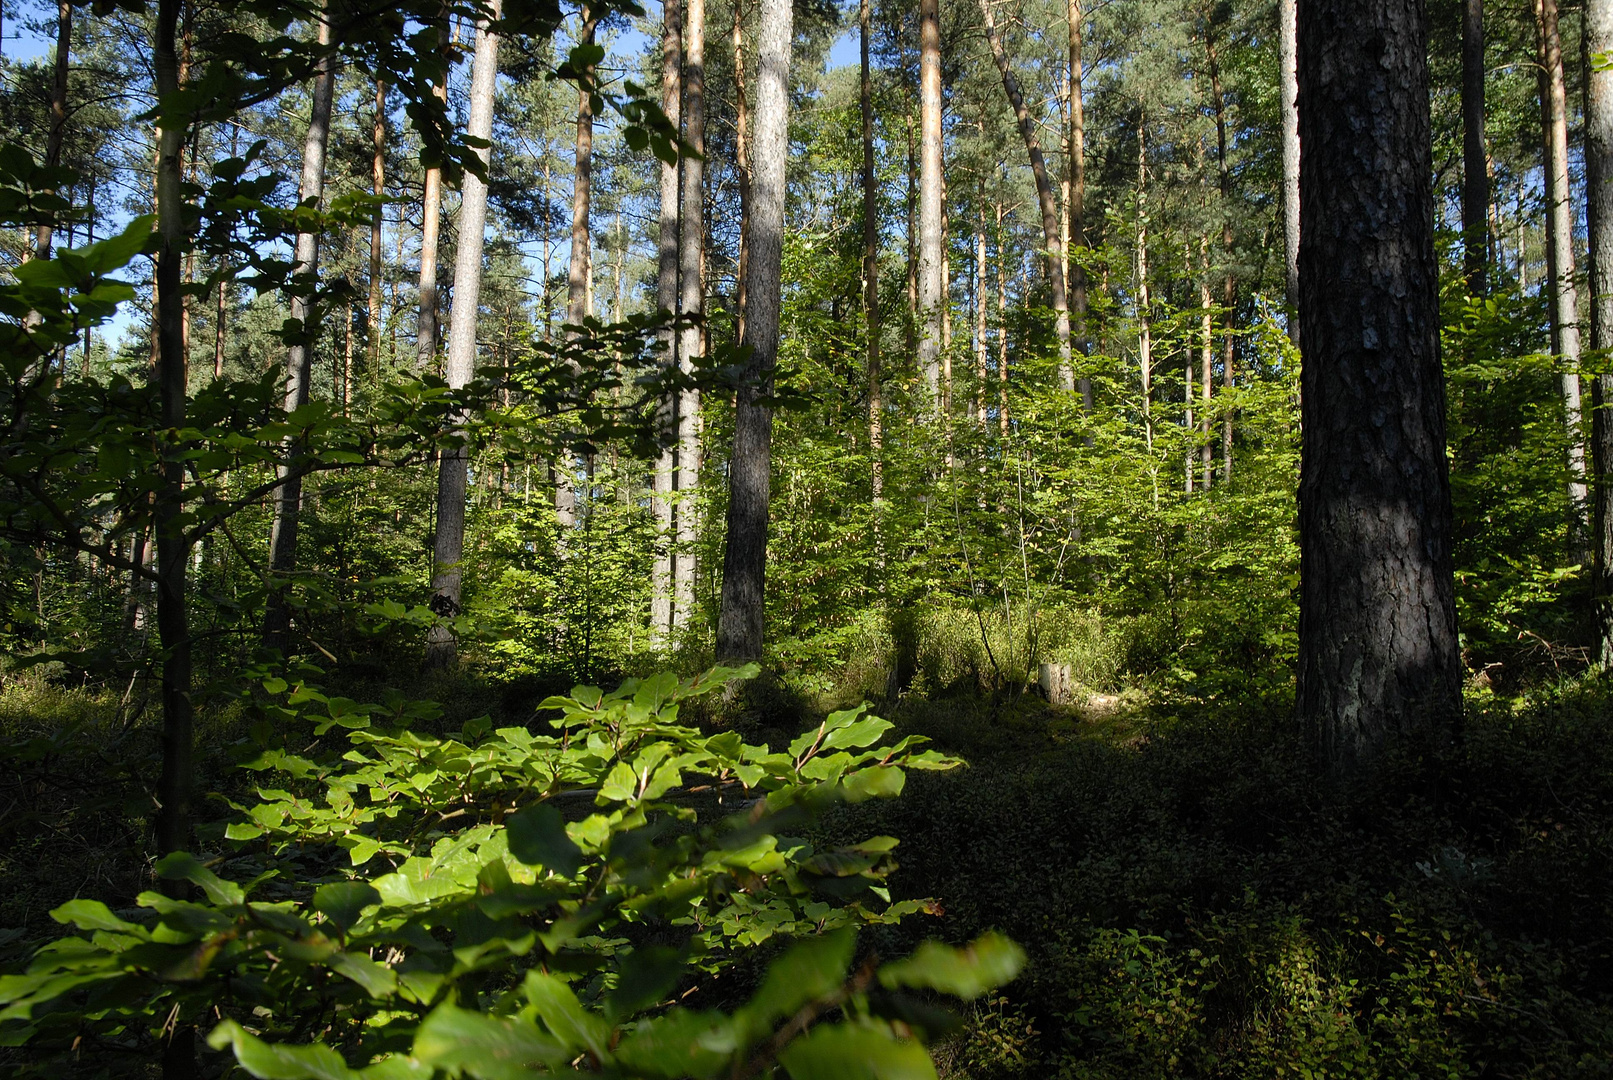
(452,467)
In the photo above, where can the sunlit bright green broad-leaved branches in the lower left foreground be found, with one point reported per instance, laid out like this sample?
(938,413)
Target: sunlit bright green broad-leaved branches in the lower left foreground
(504,903)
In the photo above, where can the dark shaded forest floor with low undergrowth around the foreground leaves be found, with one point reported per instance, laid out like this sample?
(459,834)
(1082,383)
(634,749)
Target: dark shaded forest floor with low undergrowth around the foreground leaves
(1196,900)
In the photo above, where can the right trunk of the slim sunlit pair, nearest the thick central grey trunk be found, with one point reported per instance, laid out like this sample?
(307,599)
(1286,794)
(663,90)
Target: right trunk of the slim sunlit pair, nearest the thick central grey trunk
(691,252)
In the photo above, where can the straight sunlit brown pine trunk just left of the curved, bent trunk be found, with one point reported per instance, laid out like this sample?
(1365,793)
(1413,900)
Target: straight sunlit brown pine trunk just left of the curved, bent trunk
(930,199)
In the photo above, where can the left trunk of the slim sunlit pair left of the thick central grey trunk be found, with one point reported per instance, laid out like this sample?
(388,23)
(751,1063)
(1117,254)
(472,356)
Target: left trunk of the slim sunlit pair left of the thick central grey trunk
(667,299)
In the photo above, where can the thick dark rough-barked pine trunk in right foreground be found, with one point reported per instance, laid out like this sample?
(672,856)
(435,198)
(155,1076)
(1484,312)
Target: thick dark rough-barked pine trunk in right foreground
(1378,625)
